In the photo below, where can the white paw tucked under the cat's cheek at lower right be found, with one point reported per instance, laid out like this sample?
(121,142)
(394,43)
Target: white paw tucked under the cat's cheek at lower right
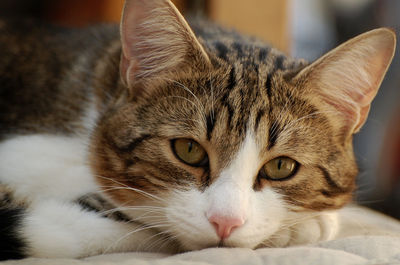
(306,230)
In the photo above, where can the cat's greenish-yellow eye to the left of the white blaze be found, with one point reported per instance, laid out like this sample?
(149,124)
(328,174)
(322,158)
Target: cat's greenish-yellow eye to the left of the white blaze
(190,152)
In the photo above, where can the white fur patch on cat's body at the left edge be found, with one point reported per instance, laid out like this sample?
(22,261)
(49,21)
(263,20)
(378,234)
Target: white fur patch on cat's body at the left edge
(46,166)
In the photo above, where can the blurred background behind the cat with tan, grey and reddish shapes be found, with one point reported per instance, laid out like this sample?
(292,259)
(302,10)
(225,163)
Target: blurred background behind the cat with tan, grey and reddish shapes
(303,29)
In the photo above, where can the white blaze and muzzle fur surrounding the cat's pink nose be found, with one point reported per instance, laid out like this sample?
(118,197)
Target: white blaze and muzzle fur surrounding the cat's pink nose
(231,195)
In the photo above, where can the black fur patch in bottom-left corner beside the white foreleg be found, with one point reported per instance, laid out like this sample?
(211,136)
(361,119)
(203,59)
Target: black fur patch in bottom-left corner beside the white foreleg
(11,245)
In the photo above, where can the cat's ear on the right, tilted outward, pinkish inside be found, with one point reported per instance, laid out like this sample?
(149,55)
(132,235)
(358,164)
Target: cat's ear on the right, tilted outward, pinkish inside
(345,80)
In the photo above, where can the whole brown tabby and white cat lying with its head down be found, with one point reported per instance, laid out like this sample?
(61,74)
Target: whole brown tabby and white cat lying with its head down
(166,137)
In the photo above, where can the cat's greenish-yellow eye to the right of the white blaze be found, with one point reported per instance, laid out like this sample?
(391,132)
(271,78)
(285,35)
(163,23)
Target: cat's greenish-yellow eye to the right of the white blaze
(279,168)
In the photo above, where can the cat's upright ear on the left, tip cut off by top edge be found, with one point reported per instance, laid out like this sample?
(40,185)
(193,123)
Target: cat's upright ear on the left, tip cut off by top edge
(156,41)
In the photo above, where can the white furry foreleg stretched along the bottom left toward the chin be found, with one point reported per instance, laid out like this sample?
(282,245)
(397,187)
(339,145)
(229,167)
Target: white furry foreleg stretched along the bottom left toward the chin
(64,230)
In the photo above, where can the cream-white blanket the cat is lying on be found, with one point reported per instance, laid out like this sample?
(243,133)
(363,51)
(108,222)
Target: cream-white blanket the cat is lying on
(366,237)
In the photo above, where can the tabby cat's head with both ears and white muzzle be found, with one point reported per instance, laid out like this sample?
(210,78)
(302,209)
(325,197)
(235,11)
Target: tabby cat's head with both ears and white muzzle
(215,145)
